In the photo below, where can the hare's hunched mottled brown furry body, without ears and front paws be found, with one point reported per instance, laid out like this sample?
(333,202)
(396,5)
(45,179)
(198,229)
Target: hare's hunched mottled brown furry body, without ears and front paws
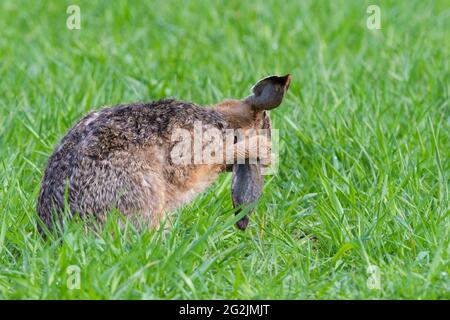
(118,158)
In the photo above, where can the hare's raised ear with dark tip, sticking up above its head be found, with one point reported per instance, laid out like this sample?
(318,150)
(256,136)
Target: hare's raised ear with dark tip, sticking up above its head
(269,92)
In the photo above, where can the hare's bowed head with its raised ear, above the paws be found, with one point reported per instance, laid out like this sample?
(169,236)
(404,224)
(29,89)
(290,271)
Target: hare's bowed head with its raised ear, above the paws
(251,112)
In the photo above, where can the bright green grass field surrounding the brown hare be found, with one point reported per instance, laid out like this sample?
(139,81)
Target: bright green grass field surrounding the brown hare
(362,191)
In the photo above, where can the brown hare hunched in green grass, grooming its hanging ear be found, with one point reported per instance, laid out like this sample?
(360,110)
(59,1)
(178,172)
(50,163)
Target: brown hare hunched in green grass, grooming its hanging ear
(122,157)
